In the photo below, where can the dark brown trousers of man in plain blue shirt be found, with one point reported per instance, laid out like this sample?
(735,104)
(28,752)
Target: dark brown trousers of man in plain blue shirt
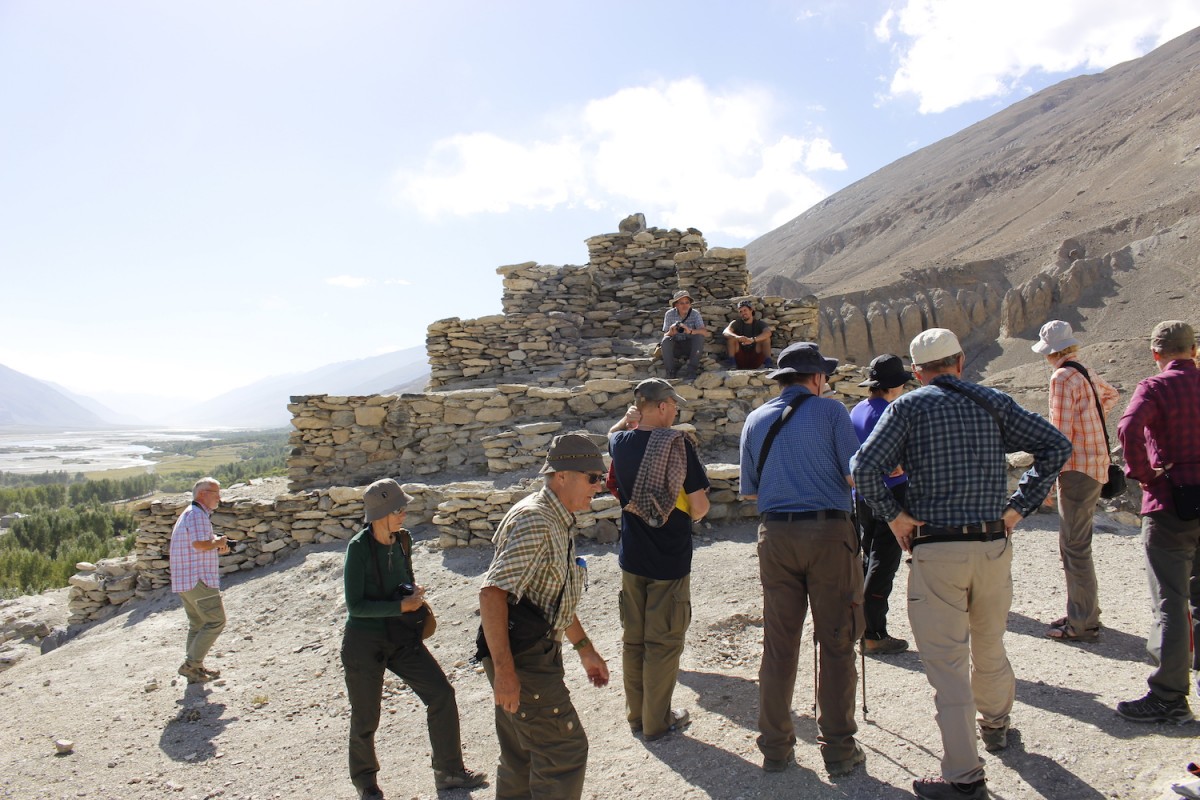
(801,564)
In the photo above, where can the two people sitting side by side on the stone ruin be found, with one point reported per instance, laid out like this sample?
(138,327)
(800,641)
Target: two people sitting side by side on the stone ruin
(747,339)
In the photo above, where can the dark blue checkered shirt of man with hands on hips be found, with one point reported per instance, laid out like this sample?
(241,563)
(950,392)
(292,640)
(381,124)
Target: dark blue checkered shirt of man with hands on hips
(953,454)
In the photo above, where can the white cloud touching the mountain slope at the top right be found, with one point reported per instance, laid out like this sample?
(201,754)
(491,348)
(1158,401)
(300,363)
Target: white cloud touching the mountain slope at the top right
(951,52)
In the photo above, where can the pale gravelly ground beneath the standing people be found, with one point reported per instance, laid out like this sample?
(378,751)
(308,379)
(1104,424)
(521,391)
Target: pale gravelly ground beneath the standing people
(275,725)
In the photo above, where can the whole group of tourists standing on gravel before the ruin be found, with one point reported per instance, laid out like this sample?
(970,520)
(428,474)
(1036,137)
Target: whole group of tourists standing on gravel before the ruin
(928,476)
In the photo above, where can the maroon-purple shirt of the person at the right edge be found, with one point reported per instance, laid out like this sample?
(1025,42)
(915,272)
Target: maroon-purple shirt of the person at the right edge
(1162,426)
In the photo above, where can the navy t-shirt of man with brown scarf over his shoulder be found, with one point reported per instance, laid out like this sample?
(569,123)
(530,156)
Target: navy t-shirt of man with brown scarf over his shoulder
(657,554)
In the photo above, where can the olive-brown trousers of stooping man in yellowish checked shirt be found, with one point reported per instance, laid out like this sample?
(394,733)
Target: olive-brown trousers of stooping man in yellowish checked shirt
(544,751)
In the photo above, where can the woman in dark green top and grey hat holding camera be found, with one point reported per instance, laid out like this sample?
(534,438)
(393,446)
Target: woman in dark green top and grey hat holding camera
(383,630)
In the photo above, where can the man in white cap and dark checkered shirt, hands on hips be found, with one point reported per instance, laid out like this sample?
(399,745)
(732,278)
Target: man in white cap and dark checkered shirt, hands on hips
(952,438)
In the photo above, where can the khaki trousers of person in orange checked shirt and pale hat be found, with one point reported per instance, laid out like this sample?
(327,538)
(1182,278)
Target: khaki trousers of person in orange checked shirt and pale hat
(1078,495)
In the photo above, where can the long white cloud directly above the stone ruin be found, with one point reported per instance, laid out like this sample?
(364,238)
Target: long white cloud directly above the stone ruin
(681,152)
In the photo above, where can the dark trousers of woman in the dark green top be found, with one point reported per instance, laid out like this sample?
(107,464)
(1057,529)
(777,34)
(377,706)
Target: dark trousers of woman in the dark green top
(365,655)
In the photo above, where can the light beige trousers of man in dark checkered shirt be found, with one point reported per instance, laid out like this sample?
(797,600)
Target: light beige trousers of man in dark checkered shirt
(959,596)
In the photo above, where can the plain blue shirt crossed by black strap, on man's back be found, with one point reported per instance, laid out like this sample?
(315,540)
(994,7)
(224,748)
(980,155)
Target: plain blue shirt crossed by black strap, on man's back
(809,461)
